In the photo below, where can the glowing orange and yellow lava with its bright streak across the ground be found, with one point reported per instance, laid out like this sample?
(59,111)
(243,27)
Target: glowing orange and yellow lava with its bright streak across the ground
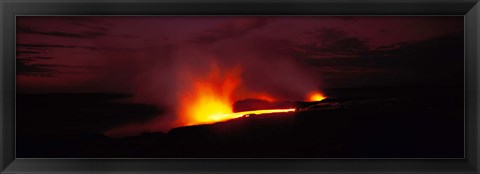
(210,98)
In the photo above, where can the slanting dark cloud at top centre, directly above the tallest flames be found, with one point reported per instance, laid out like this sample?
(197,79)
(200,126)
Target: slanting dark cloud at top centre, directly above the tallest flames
(231,29)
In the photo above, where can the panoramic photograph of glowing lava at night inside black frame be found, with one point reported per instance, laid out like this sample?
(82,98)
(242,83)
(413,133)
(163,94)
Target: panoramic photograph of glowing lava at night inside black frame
(239,87)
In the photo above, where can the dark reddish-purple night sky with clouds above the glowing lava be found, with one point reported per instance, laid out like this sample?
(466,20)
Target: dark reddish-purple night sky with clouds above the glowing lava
(152,57)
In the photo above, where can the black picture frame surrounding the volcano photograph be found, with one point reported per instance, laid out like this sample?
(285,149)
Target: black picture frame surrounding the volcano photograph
(11,8)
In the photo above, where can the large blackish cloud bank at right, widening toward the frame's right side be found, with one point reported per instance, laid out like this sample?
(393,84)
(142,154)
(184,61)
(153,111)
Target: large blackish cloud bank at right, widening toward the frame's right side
(432,61)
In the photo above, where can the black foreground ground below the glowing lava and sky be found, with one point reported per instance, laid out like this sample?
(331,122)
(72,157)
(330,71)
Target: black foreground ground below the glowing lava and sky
(421,122)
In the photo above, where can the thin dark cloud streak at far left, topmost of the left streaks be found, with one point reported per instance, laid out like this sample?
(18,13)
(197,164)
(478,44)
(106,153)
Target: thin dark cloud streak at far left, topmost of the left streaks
(84,34)
